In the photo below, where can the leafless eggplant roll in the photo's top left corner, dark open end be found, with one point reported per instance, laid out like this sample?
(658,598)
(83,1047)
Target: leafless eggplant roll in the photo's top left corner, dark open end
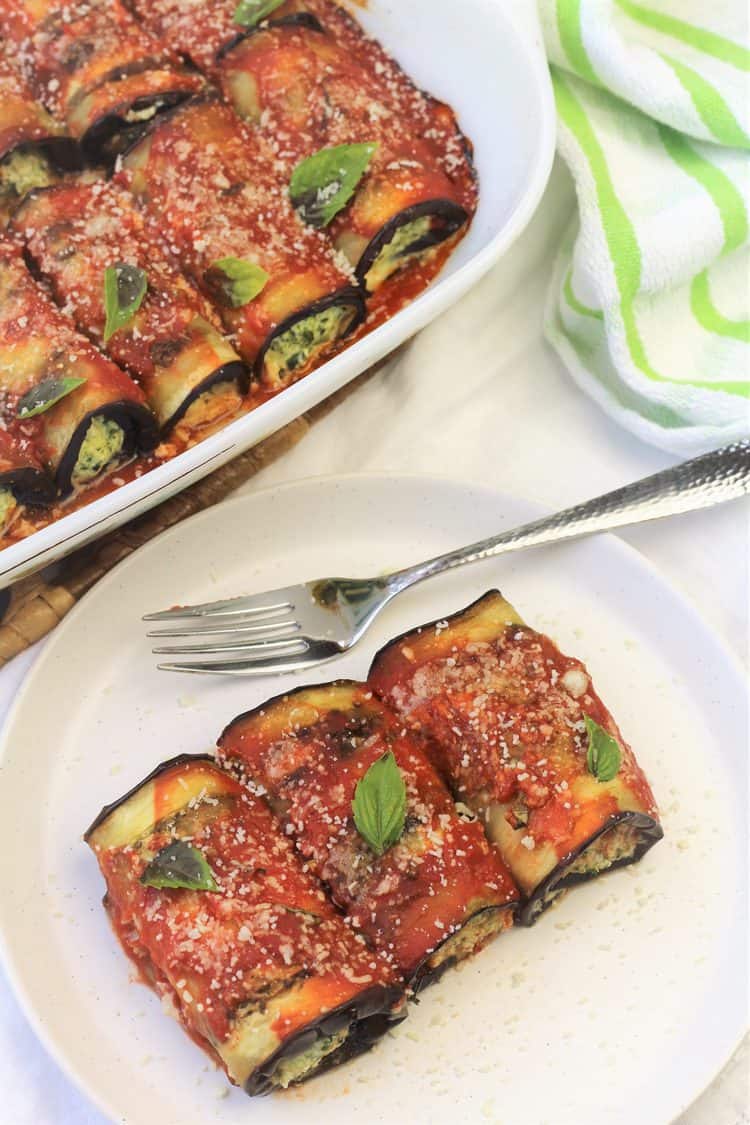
(95,67)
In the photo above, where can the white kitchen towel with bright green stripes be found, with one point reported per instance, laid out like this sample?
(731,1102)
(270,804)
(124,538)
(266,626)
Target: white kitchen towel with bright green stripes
(649,307)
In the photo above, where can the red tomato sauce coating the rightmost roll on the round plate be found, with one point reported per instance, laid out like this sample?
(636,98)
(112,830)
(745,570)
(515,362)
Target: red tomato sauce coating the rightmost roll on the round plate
(507,717)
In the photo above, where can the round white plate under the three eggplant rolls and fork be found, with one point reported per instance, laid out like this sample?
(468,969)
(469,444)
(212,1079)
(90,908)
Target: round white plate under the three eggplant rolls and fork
(624,1002)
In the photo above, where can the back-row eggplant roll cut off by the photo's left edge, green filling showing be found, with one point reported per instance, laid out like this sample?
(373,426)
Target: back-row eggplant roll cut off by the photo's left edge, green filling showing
(33,148)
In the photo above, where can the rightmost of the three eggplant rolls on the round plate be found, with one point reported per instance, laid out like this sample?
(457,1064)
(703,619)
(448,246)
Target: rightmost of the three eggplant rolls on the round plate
(518,728)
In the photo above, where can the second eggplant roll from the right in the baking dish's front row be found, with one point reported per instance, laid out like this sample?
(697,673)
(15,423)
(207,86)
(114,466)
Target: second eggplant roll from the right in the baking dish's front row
(213,194)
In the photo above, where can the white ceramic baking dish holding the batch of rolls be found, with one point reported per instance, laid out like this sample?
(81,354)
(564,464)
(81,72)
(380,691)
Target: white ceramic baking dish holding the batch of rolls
(486,59)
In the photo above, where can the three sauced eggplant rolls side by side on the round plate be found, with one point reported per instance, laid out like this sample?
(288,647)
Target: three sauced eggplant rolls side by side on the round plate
(353,841)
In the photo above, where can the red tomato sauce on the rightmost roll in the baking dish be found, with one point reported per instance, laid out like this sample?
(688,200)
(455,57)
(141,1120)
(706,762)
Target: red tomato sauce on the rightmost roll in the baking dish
(315,93)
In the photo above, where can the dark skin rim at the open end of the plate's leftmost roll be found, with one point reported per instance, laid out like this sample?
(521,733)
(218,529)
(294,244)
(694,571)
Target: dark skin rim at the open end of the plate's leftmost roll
(369,1020)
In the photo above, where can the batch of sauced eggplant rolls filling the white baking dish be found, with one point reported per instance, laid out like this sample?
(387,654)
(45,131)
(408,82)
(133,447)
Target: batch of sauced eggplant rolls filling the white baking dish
(239,238)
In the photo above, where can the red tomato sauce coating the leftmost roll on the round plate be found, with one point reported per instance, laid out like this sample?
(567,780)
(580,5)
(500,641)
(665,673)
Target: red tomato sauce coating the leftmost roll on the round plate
(269,928)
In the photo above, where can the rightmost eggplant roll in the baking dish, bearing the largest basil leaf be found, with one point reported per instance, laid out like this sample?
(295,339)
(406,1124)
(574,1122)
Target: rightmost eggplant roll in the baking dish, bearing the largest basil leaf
(342,119)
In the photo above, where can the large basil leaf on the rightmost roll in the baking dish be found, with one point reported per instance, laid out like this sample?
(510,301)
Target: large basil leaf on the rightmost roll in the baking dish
(323,185)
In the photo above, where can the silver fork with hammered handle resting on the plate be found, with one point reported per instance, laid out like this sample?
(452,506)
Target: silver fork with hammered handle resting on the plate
(299,627)
